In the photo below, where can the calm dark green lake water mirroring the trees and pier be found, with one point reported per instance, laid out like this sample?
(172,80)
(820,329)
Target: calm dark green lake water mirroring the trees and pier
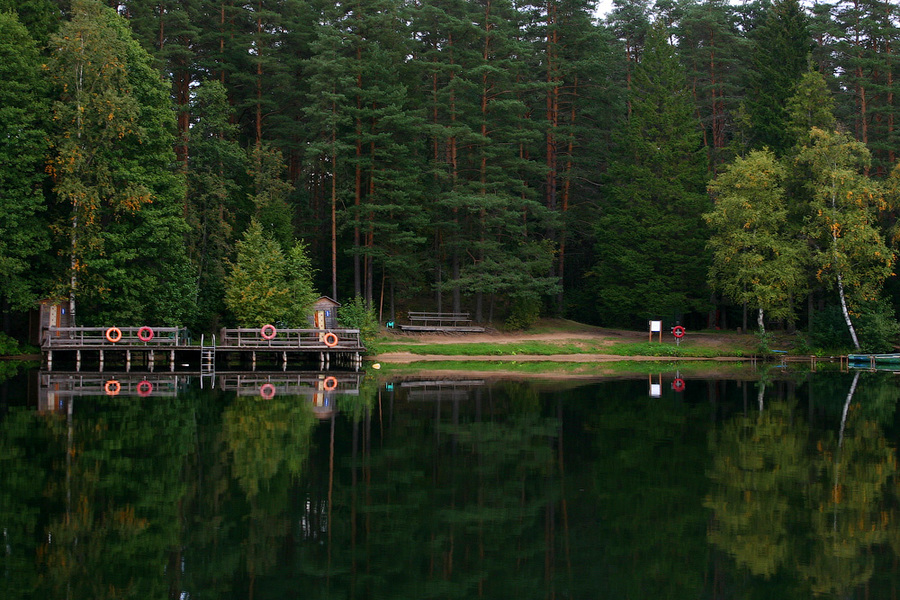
(764,484)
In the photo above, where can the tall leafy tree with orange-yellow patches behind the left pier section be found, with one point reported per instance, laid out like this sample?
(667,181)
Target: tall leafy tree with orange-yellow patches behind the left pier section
(112,167)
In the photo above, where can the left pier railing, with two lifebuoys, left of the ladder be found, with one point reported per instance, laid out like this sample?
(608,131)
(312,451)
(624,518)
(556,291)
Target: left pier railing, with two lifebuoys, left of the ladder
(111,337)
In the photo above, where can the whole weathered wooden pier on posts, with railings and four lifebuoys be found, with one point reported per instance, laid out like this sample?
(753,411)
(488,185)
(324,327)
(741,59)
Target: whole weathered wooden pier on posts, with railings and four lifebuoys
(172,348)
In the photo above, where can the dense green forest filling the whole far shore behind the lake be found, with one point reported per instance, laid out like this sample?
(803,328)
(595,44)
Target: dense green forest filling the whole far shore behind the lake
(210,162)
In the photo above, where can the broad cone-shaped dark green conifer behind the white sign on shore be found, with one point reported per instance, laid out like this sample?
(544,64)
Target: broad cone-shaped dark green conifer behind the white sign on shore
(650,236)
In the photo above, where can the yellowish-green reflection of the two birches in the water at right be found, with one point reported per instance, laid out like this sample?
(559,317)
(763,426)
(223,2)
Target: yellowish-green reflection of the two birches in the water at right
(816,503)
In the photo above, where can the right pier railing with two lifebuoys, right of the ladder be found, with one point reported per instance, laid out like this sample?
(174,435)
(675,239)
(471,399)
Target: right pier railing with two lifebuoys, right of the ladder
(287,339)
